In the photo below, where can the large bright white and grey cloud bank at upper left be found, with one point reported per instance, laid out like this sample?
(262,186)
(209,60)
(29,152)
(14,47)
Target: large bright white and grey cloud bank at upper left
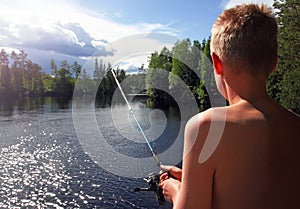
(63,27)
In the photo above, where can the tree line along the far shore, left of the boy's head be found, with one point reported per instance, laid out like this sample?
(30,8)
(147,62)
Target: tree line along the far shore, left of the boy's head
(19,76)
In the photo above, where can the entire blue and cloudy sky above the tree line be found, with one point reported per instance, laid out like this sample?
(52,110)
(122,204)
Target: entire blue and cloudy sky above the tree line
(77,30)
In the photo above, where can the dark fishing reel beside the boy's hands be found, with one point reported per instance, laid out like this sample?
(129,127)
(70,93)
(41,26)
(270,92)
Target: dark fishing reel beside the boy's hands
(153,185)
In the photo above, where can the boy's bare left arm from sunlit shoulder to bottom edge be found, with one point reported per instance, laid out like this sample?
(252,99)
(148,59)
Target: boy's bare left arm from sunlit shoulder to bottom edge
(197,179)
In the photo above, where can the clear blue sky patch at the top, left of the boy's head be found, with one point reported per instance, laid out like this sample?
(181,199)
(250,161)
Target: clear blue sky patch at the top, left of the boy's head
(191,19)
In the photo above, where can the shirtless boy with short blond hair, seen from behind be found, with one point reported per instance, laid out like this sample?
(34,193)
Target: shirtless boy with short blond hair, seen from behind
(256,163)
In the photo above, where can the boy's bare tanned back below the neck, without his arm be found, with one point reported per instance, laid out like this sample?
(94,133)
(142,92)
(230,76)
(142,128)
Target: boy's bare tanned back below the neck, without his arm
(257,160)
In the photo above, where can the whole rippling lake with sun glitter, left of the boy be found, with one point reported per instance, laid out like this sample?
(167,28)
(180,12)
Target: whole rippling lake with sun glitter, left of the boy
(45,164)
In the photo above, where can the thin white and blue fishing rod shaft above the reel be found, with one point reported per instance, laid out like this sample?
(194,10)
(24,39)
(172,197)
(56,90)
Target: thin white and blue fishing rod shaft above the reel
(155,157)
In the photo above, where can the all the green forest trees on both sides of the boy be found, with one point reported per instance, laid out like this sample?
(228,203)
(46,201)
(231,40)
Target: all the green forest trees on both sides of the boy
(187,60)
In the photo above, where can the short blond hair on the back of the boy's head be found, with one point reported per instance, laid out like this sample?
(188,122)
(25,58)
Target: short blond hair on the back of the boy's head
(246,37)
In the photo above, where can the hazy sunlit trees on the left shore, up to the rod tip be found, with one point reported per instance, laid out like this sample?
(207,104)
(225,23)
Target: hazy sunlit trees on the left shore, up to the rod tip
(19,77)
